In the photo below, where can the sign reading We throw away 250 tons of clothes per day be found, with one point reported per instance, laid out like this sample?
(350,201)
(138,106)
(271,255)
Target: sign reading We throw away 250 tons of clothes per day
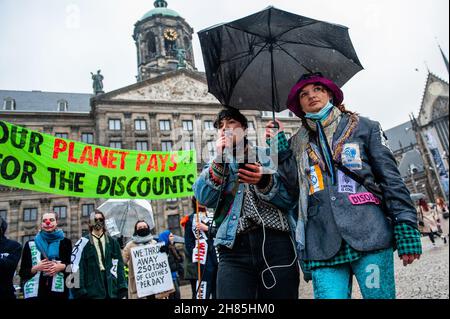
(151,270)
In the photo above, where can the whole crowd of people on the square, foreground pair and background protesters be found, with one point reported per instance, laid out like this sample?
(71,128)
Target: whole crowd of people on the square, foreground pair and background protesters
(328,202)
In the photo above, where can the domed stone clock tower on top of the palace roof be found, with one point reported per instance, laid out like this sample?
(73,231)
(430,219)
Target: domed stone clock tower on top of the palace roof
(163,42)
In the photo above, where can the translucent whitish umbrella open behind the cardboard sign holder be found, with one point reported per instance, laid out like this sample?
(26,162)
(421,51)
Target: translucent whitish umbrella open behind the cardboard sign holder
(122,214)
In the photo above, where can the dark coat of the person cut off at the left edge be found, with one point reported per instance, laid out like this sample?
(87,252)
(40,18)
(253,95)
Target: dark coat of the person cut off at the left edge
(9,259)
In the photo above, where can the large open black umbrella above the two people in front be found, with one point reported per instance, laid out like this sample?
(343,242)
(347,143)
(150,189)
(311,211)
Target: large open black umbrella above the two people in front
(253,62)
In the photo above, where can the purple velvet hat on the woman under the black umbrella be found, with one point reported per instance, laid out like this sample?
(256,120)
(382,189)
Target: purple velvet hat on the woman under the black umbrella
(294,105)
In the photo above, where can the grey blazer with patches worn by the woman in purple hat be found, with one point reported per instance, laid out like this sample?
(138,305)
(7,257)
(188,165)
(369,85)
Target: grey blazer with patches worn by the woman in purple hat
(332,217)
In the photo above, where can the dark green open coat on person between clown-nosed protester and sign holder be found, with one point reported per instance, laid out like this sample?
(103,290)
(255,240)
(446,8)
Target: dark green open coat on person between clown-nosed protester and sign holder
(92,285)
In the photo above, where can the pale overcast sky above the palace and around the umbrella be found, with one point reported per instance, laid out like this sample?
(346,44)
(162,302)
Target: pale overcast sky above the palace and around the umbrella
(53,45)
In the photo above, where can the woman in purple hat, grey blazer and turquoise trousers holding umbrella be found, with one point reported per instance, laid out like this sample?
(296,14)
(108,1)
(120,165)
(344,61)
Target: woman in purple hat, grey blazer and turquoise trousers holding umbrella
(354,208)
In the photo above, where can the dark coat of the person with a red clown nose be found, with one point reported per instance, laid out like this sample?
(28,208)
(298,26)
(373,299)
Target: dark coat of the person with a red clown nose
(45,282)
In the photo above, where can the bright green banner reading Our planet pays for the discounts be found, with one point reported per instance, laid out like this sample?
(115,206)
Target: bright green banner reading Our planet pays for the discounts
(45,163)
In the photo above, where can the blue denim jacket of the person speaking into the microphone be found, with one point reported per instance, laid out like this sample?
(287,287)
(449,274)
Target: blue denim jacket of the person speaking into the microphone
(207,193)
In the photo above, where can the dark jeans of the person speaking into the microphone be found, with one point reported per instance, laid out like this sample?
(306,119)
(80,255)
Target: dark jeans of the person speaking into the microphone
(240,268)
